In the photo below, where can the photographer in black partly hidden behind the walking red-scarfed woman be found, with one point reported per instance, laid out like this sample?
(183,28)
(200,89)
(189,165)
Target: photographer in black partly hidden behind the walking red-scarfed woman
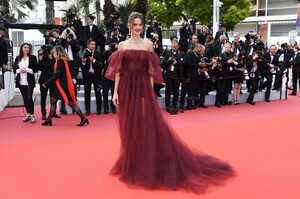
(45,65)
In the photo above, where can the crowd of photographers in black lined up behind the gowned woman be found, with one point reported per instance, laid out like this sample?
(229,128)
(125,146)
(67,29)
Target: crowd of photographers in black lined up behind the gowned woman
(197,63)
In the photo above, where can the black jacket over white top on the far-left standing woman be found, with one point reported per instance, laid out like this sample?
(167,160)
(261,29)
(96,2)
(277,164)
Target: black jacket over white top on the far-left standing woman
(30,77)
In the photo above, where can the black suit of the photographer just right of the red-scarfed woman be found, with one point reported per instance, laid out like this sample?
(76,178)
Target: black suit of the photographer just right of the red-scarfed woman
(92,75)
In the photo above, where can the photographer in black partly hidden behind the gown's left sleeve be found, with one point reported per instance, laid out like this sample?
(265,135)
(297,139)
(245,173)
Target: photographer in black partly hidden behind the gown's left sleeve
(107,83)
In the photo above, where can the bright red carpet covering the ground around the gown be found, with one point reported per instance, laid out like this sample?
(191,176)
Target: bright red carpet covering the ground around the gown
(69,162)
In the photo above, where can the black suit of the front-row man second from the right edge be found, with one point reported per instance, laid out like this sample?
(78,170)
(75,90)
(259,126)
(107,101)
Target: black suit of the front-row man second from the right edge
(266,73)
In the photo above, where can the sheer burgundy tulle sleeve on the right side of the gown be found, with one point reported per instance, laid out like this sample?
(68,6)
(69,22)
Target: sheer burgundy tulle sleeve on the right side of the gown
(154,68)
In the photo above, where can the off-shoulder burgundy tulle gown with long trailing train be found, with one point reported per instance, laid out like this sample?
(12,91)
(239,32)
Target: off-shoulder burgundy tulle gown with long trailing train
(152,155)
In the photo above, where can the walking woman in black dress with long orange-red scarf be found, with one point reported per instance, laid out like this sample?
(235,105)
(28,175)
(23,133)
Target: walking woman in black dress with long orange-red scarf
(64,86)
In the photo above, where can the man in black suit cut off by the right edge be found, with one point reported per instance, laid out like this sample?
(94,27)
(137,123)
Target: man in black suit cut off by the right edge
(296,69)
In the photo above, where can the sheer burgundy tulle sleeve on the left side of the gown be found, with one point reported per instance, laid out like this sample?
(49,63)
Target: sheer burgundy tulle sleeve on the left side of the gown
(115,65)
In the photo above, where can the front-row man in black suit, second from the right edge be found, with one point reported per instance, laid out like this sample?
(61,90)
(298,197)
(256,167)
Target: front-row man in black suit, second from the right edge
(270,65)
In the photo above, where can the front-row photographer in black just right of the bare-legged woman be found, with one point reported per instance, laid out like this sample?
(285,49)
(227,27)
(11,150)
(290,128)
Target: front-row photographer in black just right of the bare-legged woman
(254,66)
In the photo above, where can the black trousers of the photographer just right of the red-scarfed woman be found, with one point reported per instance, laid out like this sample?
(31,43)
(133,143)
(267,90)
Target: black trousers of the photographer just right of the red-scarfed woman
(88,81)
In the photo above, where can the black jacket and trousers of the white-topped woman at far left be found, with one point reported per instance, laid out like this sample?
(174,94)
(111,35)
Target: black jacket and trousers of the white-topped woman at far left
(27,90)
